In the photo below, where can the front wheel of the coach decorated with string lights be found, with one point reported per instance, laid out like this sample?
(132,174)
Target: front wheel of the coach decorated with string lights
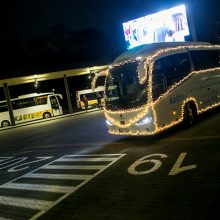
(189,114)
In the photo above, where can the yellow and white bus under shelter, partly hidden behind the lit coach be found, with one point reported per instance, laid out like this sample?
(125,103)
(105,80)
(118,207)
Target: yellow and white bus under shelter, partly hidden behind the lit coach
(91,96)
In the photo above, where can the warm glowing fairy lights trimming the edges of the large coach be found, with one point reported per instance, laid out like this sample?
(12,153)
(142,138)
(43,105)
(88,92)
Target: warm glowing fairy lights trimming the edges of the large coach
(153,106)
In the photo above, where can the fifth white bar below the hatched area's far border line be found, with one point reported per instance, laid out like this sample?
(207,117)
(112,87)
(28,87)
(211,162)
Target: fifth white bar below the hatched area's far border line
(25,203)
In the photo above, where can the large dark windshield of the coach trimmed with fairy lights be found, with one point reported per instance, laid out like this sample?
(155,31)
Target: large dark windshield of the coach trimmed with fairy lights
(123,90)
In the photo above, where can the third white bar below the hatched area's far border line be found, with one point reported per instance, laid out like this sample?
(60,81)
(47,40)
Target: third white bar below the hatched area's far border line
(58,176)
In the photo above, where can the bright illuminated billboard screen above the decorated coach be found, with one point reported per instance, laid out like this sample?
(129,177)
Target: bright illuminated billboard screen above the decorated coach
(165,26)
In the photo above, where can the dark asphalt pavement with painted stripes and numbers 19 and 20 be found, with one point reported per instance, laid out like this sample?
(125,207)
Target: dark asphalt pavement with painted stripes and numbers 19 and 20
(71,168)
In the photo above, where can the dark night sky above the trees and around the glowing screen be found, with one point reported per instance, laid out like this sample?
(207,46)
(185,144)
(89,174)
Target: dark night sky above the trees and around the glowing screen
(27,17)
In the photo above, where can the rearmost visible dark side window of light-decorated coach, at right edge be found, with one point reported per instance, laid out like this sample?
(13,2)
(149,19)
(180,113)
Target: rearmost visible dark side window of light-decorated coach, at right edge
(205,59)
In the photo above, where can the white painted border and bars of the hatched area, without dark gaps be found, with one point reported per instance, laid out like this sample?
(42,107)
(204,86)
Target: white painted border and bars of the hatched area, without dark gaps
(42,205)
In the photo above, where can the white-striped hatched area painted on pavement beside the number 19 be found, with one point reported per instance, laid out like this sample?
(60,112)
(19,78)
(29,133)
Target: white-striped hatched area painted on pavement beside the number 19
(33,194)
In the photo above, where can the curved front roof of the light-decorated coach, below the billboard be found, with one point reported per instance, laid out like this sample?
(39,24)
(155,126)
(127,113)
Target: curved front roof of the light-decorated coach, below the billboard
(147,49)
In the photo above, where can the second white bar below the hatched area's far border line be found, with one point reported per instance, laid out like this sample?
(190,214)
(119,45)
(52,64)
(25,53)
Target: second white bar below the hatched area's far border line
(72,167)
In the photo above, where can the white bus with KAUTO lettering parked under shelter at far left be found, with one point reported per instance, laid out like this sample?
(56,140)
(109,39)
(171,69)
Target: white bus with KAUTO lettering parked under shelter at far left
(31,107)
